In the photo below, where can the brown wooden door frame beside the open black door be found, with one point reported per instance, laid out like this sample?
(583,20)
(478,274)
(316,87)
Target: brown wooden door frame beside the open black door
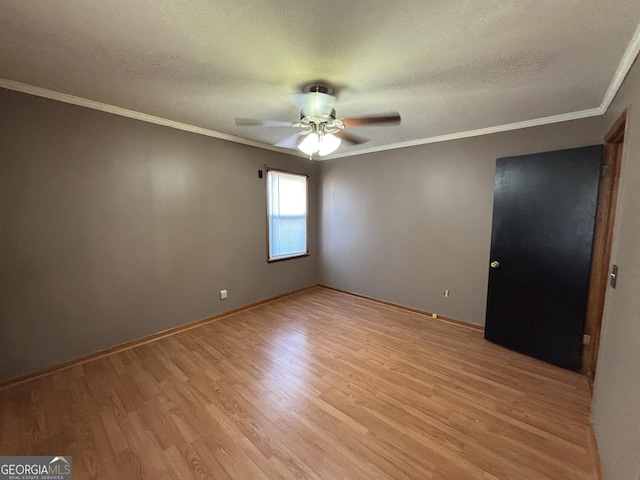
(603,236)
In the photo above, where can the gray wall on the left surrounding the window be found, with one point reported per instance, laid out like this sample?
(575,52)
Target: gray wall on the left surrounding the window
(113,229)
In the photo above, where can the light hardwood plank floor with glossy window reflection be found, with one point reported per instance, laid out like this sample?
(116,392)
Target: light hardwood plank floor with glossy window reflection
(317,385)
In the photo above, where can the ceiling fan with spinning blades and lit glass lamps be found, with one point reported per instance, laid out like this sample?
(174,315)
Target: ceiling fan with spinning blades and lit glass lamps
(321,132)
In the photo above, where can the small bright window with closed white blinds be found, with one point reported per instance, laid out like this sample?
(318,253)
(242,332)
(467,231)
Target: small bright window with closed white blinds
(287,214)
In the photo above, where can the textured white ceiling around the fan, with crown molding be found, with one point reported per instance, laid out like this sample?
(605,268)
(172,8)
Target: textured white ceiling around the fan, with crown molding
(451,68)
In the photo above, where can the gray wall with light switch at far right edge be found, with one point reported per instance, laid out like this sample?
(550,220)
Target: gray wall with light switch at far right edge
(616,403)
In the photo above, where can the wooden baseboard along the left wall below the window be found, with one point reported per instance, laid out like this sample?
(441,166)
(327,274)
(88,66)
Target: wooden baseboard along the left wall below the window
(141,341)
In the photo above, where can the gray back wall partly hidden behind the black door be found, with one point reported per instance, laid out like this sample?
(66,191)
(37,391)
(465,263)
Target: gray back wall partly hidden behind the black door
(404,225)
